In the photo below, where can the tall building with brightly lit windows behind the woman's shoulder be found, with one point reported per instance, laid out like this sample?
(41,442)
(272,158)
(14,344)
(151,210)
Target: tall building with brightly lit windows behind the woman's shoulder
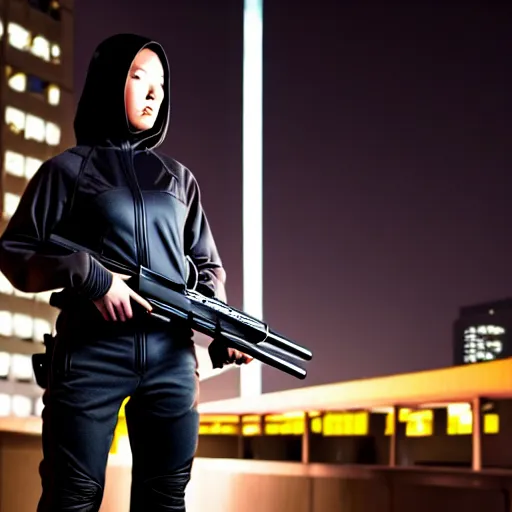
(36,103)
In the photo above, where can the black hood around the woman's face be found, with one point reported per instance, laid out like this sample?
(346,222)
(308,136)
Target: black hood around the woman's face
(101,116)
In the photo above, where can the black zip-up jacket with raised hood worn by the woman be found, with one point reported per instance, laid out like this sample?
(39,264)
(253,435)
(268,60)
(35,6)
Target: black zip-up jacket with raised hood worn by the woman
(112,193)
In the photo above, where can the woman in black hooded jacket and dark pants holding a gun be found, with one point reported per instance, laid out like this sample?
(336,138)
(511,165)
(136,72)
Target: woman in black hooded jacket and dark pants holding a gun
(114,195)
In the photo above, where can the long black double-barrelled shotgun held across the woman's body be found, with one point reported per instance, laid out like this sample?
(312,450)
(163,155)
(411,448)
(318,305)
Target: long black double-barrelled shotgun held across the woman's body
(207,315)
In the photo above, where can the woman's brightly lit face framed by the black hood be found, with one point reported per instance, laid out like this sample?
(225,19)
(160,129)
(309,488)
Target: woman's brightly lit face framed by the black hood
(144,91)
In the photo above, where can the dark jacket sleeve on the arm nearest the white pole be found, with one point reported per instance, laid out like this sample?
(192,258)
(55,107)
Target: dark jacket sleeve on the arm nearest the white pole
(200,246)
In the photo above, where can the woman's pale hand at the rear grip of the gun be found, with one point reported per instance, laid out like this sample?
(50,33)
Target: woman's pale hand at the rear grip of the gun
(115,304)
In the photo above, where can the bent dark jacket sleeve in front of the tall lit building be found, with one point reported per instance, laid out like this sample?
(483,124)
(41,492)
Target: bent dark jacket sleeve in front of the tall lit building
(27,259)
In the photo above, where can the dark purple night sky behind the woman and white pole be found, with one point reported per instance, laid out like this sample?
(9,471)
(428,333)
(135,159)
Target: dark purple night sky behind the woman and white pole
(386,160)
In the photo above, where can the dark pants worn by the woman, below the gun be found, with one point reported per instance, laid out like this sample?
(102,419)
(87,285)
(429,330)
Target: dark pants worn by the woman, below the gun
(90,376)
